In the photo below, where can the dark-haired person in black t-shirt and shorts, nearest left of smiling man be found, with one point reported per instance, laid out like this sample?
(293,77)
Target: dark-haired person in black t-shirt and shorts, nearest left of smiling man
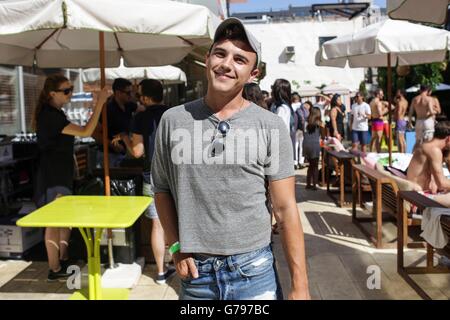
(143,144)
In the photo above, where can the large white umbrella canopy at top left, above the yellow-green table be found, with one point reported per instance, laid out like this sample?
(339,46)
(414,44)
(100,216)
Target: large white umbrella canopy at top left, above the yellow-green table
(64,33)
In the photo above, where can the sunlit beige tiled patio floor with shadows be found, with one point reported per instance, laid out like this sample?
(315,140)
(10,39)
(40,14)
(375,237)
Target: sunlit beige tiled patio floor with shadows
(338,256)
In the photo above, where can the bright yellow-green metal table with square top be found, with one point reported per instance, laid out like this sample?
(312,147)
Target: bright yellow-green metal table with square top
(86,213)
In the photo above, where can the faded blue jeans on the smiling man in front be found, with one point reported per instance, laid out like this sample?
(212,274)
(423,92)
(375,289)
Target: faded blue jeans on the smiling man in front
(247,276)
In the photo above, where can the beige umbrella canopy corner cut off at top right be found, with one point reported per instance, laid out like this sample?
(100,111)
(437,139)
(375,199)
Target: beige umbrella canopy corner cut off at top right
(434,11)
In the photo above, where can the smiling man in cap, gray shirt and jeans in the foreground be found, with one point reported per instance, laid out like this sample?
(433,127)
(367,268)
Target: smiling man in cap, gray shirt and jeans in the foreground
(214,159)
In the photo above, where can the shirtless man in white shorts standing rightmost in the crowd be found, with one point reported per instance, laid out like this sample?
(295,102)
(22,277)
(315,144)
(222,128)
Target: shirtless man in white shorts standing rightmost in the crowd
(425,109)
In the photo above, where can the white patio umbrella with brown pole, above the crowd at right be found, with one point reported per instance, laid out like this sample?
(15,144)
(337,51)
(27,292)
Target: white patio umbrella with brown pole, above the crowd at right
(386,44)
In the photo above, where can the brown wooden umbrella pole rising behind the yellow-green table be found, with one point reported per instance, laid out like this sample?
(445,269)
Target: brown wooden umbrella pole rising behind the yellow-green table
(105,143)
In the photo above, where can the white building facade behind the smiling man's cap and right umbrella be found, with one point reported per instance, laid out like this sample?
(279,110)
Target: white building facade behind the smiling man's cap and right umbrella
(291,38)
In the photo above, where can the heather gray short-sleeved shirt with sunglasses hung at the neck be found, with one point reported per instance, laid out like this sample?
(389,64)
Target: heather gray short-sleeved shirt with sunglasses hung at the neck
(219,183)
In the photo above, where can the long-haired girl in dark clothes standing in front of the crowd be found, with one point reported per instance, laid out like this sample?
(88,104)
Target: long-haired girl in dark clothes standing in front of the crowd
(311,146)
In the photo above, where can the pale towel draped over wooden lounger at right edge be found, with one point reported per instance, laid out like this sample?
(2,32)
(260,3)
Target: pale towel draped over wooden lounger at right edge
(431,227)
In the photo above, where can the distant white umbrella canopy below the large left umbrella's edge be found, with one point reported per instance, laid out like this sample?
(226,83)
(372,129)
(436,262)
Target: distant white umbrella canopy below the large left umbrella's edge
(167,73)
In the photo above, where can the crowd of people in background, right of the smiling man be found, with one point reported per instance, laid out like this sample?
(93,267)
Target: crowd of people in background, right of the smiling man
(312,123)
